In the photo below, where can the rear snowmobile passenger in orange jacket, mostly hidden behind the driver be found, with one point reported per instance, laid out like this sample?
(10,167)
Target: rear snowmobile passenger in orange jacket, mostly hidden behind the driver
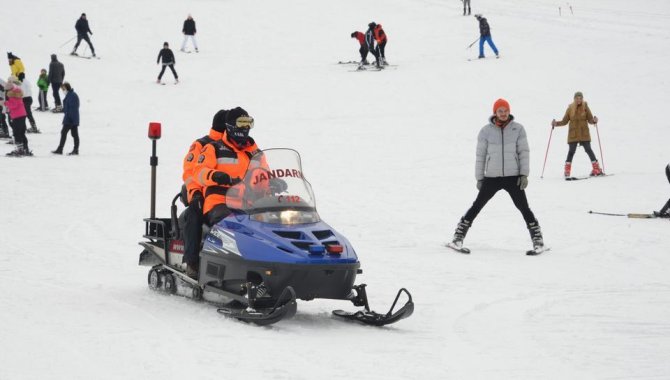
(193,217)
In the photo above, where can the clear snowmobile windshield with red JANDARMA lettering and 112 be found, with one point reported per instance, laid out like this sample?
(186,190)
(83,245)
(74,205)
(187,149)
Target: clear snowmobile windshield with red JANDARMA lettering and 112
(274,190)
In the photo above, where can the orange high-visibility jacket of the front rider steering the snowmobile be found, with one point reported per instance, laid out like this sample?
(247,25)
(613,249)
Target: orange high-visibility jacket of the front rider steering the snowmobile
(223,156)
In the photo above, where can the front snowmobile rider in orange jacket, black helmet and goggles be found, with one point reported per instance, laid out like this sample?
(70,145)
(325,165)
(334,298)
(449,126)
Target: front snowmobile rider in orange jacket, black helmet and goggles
(223,163)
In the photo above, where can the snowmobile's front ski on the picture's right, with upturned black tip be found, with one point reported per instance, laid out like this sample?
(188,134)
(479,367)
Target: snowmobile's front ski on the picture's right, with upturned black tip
(369,317)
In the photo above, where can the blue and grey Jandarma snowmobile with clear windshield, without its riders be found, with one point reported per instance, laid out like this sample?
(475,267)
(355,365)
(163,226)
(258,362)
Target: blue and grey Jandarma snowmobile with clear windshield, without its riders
(270,251)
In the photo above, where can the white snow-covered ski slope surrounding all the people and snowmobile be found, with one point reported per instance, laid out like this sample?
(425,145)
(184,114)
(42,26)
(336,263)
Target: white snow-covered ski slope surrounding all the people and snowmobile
(391,158)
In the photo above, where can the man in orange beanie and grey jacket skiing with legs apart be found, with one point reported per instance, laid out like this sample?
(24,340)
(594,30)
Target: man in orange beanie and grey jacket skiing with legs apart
(502,164)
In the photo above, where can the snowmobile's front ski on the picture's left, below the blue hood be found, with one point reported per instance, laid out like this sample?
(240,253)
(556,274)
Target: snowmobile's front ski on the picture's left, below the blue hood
(285,307)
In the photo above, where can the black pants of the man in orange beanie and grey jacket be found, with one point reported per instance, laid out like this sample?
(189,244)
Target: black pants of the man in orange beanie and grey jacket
(490,186)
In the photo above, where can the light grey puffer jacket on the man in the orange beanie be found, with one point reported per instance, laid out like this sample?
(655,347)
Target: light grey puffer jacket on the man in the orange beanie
(502,152)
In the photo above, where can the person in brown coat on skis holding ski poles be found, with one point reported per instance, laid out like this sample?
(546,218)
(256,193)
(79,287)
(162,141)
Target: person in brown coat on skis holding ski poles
(579,116)
